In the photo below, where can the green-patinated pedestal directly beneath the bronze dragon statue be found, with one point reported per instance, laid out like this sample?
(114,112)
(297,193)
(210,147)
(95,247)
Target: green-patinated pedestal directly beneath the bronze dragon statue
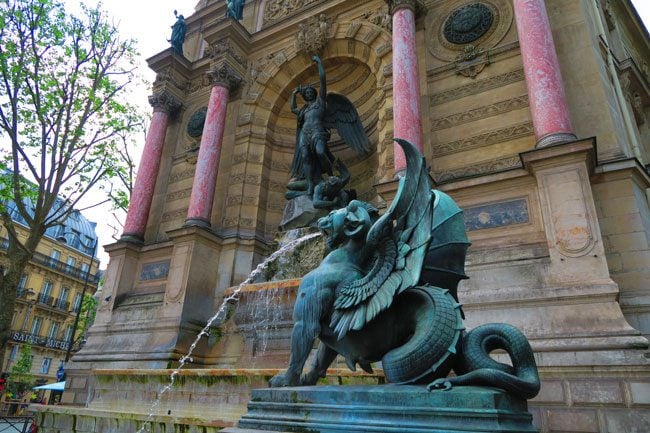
(384,408)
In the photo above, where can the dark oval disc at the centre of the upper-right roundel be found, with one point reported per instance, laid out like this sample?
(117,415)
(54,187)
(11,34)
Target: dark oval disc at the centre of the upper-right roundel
(468,23)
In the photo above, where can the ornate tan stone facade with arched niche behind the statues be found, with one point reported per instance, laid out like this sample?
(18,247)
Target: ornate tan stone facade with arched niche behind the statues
(560,226)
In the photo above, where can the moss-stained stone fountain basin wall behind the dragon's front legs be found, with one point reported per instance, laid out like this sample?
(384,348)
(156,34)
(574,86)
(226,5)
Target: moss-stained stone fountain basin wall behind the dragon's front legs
(205,400)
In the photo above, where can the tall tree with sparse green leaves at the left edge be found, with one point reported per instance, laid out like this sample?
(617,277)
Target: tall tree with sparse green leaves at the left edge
(63,82)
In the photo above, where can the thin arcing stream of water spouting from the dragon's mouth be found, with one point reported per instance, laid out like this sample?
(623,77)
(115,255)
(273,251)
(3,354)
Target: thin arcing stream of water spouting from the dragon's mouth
(205,332)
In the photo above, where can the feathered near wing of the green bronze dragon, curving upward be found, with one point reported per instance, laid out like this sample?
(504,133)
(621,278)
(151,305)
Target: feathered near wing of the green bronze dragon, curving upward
(401,237)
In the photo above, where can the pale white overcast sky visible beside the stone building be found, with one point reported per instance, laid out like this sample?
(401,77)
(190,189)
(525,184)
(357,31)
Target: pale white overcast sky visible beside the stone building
(149,22)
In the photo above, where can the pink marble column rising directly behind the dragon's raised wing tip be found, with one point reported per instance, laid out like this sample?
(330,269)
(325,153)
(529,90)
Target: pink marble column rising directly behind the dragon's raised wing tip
(407,115)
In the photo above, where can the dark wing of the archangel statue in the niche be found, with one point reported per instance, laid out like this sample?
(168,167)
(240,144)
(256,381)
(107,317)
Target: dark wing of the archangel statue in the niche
(341,114)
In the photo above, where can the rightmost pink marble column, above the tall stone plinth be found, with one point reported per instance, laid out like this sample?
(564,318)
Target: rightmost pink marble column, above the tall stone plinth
(548,105)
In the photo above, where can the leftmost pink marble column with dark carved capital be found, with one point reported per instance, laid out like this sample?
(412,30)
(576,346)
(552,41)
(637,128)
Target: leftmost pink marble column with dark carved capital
(145,182)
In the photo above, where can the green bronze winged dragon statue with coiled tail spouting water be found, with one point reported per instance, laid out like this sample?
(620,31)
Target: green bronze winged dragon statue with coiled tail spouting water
(387,292)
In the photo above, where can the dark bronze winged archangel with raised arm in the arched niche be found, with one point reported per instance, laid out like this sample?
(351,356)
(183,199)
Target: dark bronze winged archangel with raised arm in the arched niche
(313,158)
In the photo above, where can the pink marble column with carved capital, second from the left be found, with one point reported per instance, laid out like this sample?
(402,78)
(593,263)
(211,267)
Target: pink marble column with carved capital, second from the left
(207,165)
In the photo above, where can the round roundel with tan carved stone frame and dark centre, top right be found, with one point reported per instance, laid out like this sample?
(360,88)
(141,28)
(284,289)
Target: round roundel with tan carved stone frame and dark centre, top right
(454,24)
